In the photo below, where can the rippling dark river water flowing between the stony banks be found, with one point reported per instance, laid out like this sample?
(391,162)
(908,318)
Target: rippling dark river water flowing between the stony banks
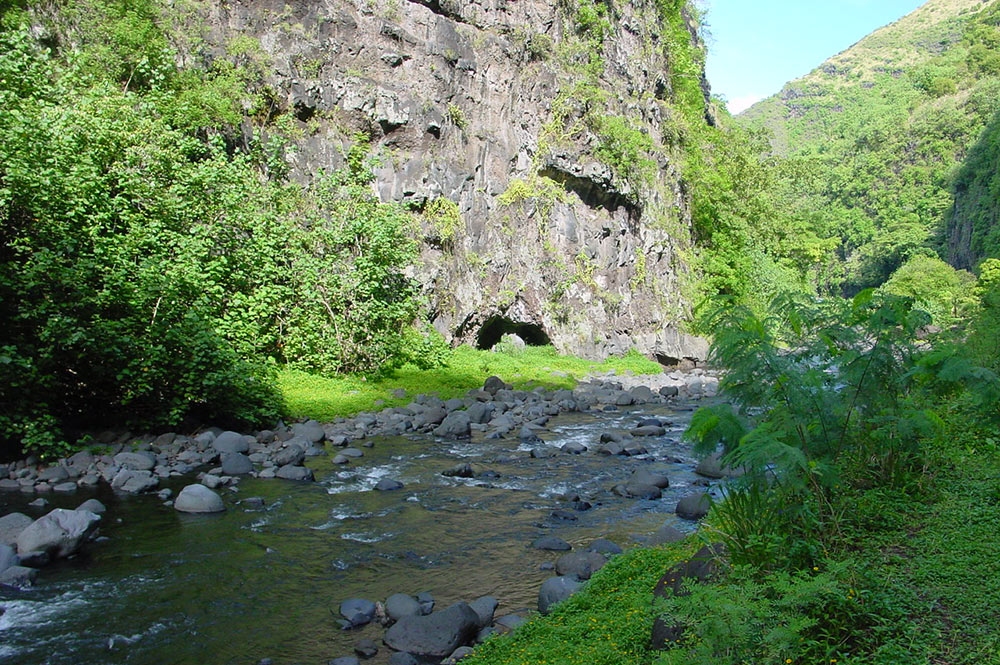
(168,588)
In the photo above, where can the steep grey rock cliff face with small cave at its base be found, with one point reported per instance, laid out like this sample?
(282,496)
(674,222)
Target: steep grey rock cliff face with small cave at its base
(539,140)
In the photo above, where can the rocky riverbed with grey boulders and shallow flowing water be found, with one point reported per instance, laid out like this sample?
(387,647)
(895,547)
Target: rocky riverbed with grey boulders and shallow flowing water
(502,500)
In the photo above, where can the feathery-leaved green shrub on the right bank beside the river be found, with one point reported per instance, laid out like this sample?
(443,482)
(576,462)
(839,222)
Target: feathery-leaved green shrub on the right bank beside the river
(822,394)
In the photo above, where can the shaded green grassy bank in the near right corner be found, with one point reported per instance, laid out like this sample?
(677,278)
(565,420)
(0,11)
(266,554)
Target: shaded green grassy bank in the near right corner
(910,581)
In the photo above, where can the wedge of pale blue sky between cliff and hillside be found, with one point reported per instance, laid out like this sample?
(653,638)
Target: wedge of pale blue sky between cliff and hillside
(756,46)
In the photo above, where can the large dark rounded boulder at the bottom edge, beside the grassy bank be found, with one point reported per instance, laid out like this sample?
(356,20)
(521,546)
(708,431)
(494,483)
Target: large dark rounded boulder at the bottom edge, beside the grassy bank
(436,635)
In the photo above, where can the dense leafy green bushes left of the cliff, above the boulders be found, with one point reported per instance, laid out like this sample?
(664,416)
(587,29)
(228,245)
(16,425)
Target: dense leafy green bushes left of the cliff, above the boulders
(153,266)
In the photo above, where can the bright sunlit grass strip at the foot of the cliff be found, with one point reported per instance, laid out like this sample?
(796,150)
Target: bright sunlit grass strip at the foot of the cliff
(328,397)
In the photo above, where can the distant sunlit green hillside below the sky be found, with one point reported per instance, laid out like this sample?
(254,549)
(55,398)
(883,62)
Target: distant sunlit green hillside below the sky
(873,141)
